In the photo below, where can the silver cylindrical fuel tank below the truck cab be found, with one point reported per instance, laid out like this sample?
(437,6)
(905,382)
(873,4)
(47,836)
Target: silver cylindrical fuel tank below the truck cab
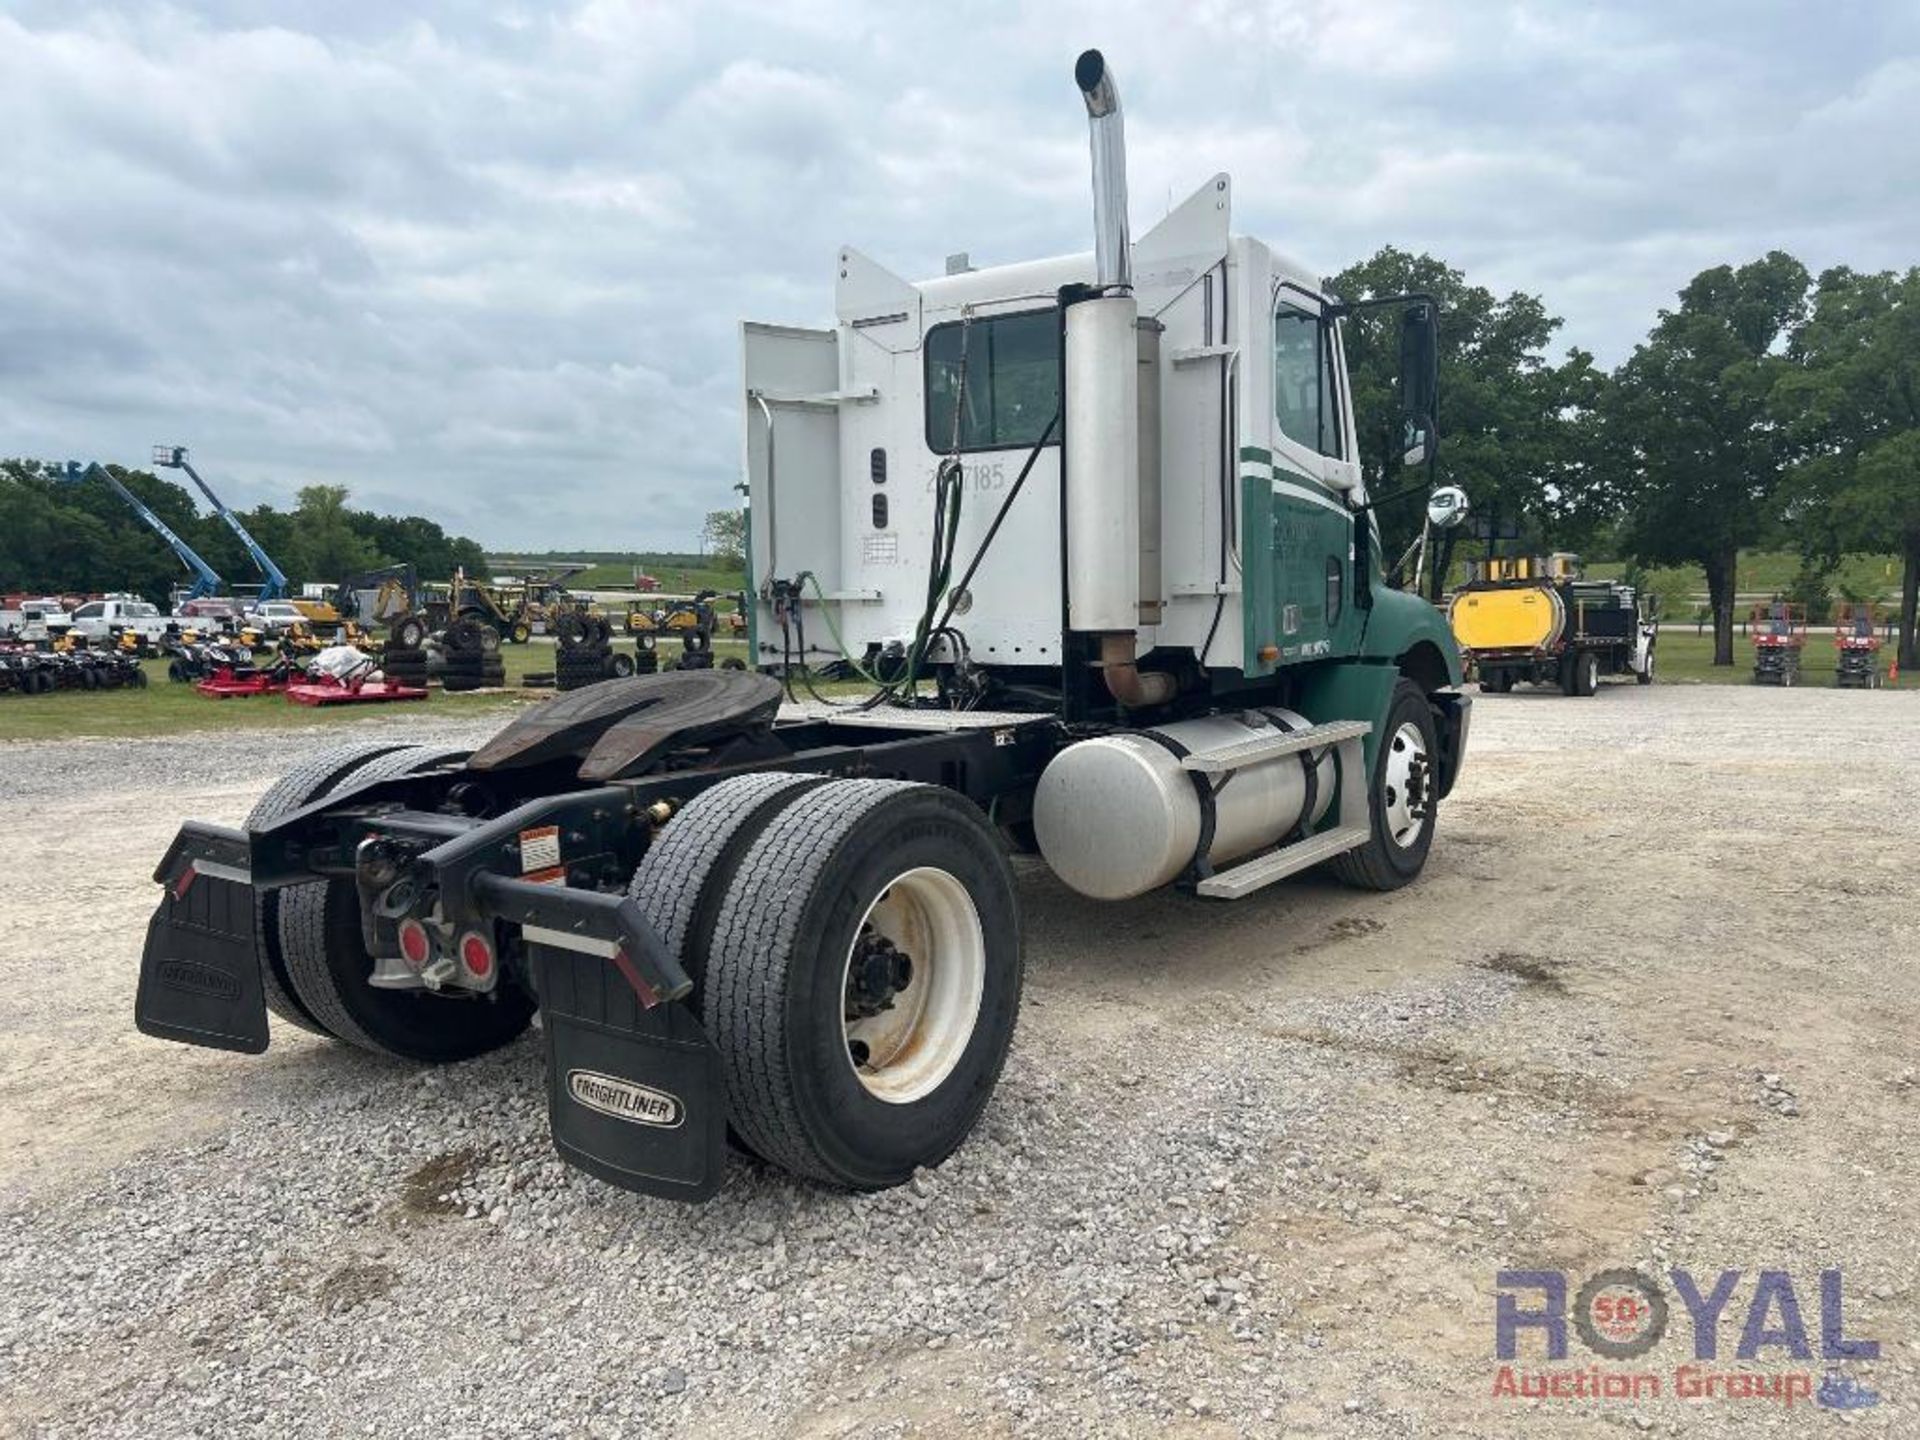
(1118,815)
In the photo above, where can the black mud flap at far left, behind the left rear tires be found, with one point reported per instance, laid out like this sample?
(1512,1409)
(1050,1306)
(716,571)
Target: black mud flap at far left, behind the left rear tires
(201,972)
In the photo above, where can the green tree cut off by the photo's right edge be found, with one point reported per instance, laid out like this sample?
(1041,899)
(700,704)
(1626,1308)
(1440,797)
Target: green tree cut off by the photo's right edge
(1852,410)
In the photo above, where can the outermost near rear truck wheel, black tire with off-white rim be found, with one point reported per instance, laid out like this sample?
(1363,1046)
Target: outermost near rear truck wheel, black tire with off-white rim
(823,907)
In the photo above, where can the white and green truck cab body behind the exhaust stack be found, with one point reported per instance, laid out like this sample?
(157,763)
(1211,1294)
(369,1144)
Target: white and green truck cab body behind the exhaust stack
(1243,529)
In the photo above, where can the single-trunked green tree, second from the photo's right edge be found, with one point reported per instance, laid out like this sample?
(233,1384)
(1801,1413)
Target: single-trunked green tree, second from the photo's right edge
(1691,437)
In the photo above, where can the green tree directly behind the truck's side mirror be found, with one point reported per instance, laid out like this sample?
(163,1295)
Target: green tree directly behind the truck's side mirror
(1512,421)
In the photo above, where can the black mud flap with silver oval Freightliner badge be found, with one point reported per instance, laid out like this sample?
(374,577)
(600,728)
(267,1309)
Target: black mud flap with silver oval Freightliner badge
(635,1095)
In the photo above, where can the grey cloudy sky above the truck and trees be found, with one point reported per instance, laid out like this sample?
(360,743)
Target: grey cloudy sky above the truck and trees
(485,258)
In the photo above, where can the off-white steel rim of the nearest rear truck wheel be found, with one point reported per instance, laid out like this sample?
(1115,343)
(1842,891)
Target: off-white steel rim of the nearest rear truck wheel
(915,1045)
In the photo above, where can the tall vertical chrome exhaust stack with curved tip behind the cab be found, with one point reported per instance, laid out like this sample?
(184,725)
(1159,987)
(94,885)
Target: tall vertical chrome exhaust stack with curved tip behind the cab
(1103,418)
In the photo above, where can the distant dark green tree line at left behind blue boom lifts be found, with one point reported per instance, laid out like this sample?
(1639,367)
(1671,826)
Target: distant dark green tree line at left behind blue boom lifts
(82,539)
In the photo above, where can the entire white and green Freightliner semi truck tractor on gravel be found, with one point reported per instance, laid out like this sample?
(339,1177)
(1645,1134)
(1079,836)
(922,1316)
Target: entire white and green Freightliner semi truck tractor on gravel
(1095,535)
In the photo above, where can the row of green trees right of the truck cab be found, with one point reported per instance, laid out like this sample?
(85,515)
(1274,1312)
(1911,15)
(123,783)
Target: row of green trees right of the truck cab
(1767,408)
